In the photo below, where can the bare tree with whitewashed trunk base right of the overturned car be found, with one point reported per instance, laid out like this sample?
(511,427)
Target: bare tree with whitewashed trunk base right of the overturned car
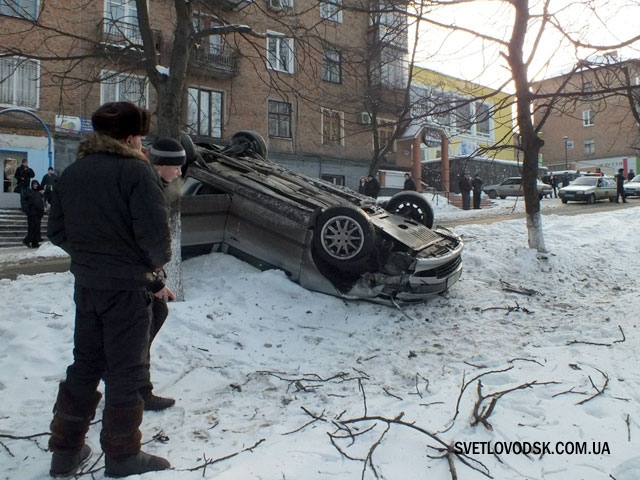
(531,23)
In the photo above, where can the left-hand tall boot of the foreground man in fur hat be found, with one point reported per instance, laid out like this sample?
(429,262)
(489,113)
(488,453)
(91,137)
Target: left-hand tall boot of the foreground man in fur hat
(69,427)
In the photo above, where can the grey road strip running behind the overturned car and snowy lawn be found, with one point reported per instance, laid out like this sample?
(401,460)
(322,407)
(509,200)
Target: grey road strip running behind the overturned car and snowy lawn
(46,265)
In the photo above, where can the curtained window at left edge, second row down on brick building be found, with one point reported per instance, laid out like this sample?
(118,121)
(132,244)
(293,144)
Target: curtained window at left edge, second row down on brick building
(19,84)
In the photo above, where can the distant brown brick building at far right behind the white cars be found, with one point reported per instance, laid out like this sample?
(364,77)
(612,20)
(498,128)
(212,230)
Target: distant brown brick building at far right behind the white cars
(594,126)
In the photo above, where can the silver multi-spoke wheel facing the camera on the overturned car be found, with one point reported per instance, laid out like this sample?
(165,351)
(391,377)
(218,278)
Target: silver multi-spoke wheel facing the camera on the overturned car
(343,236)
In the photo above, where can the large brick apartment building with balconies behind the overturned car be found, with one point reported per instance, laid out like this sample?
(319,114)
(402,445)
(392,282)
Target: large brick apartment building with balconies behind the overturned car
(304,78)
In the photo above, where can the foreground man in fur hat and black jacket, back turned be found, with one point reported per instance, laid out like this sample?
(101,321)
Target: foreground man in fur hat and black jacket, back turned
(109,213)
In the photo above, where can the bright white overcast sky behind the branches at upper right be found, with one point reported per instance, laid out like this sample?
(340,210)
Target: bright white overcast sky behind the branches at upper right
(471,58)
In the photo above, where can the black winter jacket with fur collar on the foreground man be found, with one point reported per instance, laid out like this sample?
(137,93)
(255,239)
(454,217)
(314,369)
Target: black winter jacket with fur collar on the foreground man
(109,213)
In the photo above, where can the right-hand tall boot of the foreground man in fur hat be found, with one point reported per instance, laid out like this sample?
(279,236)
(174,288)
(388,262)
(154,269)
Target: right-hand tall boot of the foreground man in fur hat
(120,439)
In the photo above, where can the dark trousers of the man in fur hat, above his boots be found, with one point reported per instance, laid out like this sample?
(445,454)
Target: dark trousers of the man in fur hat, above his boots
(111,342)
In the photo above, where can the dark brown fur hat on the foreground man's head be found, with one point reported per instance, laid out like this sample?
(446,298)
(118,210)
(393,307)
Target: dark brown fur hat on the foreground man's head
(121,119)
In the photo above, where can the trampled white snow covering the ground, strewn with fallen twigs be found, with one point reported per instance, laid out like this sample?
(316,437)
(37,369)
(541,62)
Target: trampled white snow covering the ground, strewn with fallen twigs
(276,382)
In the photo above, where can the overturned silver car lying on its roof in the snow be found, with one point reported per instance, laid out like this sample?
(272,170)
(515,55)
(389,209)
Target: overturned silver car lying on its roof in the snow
(325,237)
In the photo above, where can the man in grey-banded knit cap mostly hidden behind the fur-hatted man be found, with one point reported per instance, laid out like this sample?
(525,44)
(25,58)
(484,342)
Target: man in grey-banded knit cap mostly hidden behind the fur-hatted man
(167,156)
